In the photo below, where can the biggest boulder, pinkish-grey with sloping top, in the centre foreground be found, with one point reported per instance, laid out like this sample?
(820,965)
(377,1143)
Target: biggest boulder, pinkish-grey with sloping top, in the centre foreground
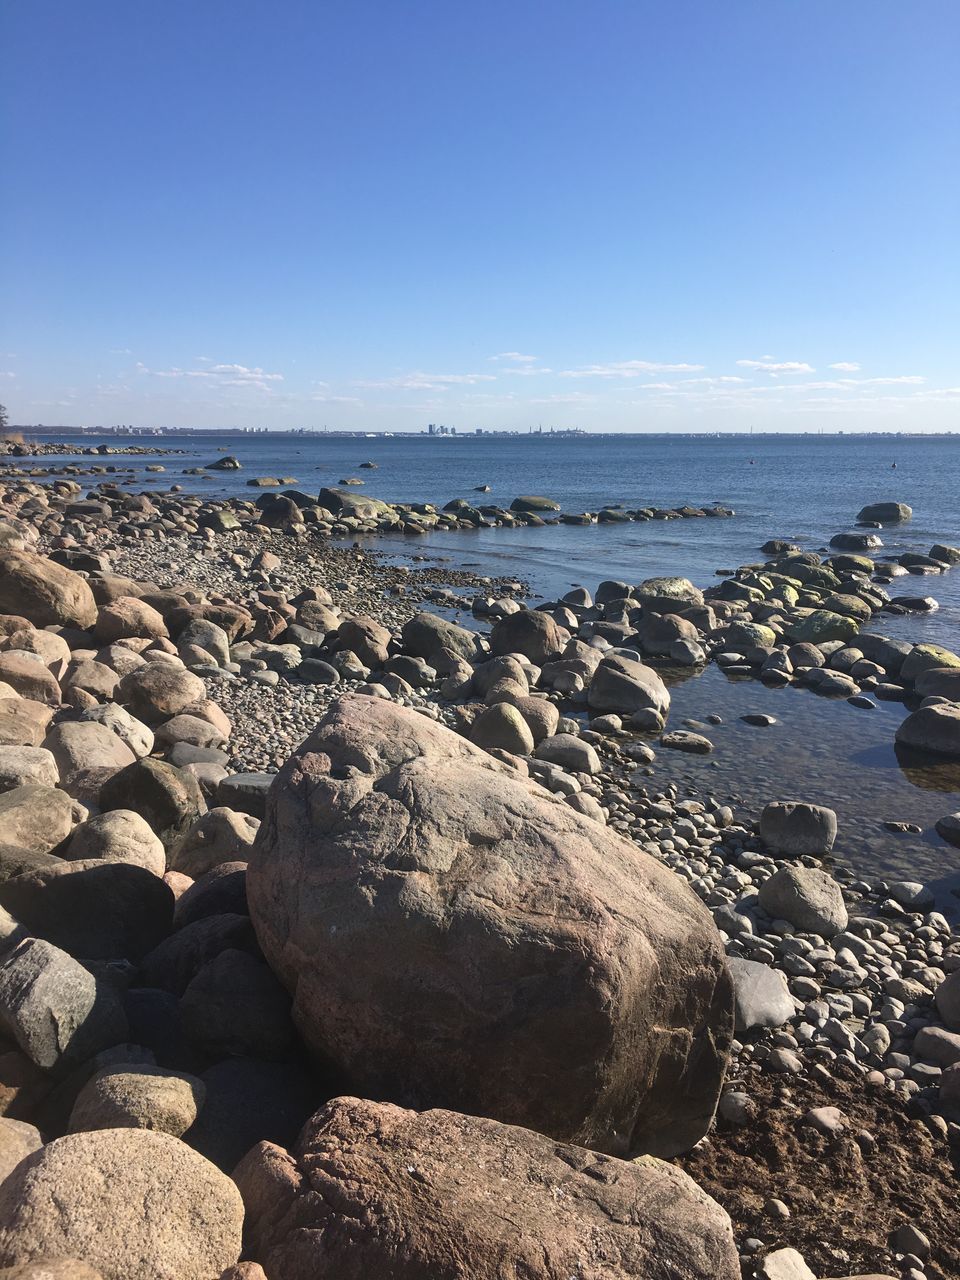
(454,936)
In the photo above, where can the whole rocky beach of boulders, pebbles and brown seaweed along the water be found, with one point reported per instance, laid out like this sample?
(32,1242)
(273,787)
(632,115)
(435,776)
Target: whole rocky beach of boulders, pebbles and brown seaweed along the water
(356,918)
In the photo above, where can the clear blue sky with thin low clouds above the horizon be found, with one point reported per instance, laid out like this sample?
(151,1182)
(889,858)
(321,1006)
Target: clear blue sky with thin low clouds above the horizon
(676,216)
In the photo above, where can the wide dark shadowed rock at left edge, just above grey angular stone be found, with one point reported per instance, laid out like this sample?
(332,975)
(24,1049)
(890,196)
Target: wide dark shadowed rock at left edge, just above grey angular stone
(95,911)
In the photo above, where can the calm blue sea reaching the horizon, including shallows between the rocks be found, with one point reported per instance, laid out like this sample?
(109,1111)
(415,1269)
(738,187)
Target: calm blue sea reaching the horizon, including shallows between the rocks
(802,488)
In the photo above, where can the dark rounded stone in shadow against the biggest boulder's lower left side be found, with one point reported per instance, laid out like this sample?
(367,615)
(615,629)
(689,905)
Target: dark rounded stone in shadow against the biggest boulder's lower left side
(235,1007)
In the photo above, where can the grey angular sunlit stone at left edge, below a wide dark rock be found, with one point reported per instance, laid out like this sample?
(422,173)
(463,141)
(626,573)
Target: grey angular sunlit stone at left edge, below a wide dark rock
(54,1009)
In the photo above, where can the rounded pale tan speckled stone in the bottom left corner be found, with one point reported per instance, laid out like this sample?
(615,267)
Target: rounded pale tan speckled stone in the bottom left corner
(136,1205)
